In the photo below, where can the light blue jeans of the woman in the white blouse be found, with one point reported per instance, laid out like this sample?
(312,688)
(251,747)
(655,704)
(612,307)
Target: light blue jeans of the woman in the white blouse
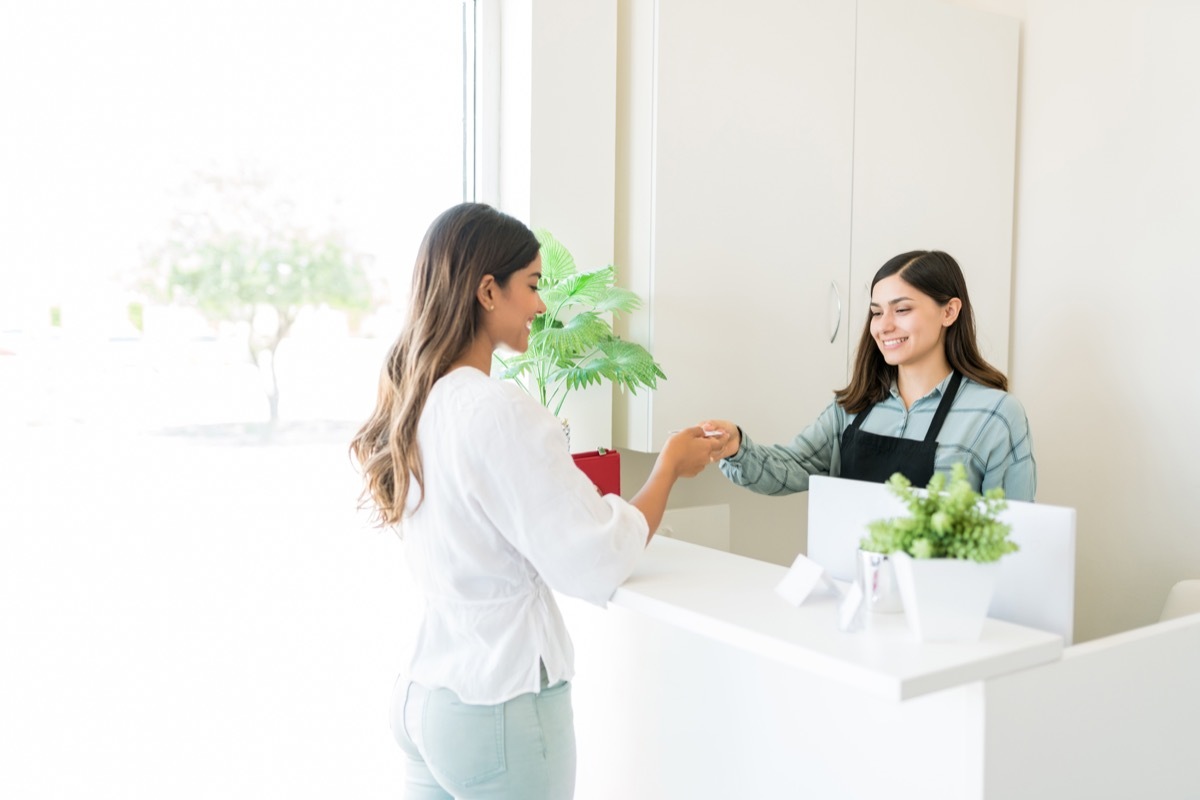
(521,750)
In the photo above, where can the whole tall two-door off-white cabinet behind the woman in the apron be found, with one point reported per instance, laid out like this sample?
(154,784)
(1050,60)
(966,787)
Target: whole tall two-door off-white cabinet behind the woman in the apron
(770,154)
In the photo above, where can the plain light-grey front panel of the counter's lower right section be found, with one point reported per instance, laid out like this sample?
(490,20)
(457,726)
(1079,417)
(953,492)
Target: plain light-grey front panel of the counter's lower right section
(1115,718)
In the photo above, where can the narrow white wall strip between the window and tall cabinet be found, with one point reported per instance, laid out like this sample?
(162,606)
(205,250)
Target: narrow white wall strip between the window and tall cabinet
(557,148)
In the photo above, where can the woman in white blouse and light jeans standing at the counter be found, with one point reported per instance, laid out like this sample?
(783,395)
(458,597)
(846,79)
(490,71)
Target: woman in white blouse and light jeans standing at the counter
(477,479)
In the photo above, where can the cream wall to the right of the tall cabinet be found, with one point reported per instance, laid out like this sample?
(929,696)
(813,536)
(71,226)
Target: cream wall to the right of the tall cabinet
(1108,204)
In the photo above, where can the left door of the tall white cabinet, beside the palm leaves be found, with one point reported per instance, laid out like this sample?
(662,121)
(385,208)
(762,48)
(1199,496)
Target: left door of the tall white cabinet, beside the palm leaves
(736,125)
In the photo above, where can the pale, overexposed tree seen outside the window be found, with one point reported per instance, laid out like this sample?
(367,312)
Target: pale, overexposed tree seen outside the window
(239,251)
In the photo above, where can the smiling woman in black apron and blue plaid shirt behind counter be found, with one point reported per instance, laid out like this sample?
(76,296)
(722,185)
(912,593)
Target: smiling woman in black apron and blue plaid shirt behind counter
(921,399)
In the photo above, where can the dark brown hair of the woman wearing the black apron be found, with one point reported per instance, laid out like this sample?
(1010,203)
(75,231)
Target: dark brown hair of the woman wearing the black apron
(938,275)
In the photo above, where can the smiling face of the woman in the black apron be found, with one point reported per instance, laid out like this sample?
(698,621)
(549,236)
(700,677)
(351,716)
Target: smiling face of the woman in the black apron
(908,326)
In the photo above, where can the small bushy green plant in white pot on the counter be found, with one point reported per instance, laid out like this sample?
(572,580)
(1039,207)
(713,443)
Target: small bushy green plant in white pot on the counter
(946,554)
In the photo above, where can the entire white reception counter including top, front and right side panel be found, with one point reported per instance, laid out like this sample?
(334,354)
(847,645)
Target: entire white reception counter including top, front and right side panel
(700,682)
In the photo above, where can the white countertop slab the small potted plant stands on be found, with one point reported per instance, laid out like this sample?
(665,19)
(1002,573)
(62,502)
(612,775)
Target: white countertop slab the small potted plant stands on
(733,599)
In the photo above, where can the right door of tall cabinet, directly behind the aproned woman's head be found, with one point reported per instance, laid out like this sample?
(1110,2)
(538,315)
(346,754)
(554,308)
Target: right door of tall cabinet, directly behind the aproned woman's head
(935,142)
